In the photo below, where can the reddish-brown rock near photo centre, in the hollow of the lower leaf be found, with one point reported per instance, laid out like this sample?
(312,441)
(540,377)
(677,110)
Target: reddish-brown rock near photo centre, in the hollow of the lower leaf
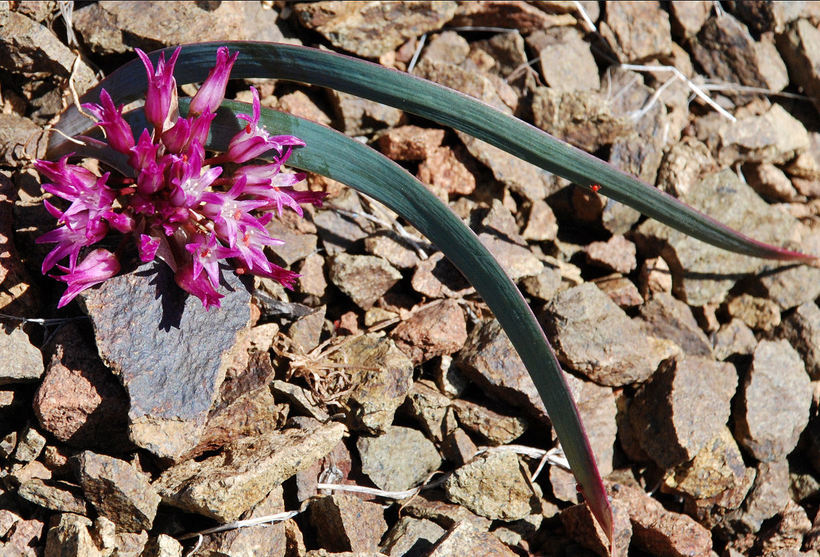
(435,330)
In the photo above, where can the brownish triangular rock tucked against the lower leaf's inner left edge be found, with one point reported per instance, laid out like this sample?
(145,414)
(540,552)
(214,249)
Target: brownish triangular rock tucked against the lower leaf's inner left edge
(490,361)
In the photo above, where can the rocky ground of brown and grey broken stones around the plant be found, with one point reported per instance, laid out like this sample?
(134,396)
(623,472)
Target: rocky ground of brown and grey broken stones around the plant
(129,424)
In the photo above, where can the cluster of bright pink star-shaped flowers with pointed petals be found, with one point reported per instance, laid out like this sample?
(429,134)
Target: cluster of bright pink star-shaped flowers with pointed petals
(188,210)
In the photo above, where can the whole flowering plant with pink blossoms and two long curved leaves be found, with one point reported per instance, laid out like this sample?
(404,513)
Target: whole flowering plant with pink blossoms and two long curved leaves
(196,212)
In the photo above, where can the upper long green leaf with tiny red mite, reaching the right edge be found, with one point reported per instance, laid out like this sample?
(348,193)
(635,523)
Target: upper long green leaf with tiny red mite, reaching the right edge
(443,105)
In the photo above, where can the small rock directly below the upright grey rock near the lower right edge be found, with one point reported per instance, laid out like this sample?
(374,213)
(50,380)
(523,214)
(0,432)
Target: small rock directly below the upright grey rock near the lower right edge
(768,496)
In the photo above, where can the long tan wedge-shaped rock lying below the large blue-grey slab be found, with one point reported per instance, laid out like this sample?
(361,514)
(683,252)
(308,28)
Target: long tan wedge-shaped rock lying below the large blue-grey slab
(226,485)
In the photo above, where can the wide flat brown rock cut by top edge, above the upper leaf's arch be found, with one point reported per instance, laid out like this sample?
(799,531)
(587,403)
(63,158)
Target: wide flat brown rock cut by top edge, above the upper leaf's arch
(371,29)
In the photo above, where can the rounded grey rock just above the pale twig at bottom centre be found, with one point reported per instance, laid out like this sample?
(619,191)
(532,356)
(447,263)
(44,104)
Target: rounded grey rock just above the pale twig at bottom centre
(385,458)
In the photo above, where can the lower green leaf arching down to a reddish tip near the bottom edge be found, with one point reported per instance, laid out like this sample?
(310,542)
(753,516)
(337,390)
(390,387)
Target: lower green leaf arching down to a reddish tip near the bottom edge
(341,158)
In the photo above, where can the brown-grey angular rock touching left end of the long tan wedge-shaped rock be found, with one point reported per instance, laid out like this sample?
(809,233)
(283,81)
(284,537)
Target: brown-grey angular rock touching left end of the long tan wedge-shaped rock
(118,491)
